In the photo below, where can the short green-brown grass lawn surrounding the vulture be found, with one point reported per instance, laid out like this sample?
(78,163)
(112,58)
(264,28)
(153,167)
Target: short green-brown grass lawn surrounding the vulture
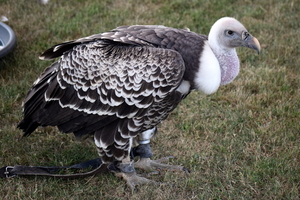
(239,143)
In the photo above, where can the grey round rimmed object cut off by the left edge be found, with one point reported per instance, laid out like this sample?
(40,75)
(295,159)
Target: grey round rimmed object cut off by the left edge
(7,39)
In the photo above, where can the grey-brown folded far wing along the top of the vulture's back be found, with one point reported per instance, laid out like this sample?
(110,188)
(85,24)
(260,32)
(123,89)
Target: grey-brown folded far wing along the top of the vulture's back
(149,35)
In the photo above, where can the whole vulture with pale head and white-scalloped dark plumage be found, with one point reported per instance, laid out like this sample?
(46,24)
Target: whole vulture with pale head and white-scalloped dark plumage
(117,86)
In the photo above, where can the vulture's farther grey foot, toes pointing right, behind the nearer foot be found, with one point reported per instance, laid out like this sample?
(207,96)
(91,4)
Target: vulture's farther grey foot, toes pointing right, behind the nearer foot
(149,165)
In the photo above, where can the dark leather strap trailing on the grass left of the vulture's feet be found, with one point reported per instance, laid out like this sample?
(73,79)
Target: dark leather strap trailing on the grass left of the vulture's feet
(18,170)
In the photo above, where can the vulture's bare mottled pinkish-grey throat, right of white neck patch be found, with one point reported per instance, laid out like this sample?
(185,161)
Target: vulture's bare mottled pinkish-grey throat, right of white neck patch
(229,63)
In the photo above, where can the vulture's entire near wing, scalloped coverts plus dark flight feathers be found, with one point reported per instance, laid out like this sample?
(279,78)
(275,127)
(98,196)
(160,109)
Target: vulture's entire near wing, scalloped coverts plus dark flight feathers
(101,82)
